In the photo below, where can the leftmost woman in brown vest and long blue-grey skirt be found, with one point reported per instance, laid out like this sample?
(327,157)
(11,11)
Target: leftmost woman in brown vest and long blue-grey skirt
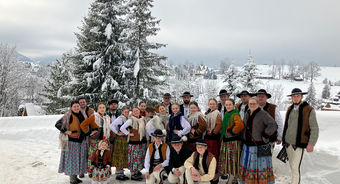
(73,159)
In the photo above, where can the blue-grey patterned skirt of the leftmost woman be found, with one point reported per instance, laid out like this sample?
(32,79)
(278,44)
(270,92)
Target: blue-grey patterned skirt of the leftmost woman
(74,161)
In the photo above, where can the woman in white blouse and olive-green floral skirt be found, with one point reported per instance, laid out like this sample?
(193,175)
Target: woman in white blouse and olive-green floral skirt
(120,145)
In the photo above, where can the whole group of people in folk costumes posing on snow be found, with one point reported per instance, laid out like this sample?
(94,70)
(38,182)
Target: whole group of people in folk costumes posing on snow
(179,143)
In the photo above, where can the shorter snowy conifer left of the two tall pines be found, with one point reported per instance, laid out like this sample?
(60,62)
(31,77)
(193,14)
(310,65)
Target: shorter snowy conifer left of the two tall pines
(56,90)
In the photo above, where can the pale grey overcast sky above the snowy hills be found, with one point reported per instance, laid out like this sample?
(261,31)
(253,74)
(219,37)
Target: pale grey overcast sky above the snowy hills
(197,31)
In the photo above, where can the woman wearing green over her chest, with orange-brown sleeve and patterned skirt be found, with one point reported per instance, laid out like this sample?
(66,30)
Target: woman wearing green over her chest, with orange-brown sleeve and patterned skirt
(229,160)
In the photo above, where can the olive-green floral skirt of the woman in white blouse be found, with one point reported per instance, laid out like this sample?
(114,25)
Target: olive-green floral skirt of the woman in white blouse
(120,153)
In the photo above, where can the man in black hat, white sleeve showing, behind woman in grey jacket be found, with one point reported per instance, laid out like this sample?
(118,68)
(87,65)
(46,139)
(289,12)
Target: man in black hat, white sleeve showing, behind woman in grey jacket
(274,112)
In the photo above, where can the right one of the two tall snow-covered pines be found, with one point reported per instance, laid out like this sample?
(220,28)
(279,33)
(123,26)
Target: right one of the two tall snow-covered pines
(147,65)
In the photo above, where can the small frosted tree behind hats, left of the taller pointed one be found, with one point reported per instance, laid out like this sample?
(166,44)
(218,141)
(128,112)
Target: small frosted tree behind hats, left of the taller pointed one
(231,77)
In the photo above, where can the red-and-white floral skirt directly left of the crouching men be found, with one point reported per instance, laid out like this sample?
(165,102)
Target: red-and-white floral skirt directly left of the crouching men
(136,157)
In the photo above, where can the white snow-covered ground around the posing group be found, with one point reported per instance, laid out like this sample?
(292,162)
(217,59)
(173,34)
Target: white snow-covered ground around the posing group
(29,152)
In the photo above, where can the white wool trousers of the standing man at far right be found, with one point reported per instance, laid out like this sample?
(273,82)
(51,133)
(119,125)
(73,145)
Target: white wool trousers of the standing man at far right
(295,159)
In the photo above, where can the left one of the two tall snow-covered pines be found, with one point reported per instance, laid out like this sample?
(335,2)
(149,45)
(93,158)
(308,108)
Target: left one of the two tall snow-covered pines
(101,52)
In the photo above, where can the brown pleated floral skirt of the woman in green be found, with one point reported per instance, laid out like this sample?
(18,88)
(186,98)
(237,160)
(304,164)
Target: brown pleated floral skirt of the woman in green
(229,161)
